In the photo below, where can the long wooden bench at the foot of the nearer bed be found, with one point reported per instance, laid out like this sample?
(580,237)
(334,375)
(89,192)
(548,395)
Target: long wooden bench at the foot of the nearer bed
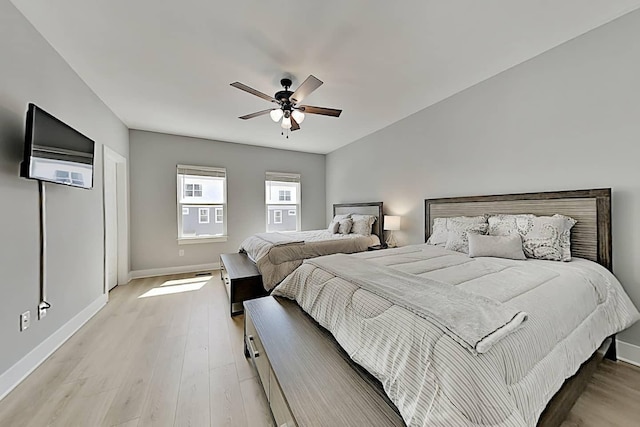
(307,378)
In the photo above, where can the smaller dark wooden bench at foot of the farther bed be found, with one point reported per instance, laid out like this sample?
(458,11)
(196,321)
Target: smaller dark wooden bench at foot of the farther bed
(242,280)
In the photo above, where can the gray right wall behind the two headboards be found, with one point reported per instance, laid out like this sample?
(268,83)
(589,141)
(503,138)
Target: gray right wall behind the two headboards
(568,119)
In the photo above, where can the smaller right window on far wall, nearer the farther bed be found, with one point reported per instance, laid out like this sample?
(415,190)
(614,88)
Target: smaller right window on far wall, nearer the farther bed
(282,200)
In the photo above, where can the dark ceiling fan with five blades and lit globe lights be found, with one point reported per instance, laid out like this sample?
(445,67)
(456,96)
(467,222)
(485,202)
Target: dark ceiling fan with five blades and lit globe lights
(289,113)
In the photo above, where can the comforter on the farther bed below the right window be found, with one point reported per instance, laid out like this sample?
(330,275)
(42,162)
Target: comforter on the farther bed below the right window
(277,261)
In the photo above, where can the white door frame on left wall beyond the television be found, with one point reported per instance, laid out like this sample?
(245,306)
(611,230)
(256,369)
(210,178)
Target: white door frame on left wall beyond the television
(122,216)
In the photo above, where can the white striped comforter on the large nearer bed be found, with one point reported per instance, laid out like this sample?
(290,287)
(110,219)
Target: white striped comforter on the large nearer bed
(433,380)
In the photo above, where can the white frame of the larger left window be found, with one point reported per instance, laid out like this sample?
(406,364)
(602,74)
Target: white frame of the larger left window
(181,190)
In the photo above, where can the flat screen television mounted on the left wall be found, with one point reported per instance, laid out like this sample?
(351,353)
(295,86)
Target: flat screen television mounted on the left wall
(55,152)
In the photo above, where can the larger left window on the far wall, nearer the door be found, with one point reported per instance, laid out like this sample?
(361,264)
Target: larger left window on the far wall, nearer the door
(205,190)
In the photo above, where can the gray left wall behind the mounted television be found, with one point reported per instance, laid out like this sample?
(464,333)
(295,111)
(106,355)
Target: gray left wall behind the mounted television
(32,71)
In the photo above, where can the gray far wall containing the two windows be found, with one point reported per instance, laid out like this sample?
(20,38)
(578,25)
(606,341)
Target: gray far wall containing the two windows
(154,157)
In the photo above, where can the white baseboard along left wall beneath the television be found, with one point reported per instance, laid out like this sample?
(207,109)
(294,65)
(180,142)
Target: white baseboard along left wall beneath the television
(18,372)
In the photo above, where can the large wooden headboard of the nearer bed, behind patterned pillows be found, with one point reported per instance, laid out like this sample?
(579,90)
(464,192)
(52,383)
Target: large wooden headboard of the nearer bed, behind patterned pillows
(590,237)
